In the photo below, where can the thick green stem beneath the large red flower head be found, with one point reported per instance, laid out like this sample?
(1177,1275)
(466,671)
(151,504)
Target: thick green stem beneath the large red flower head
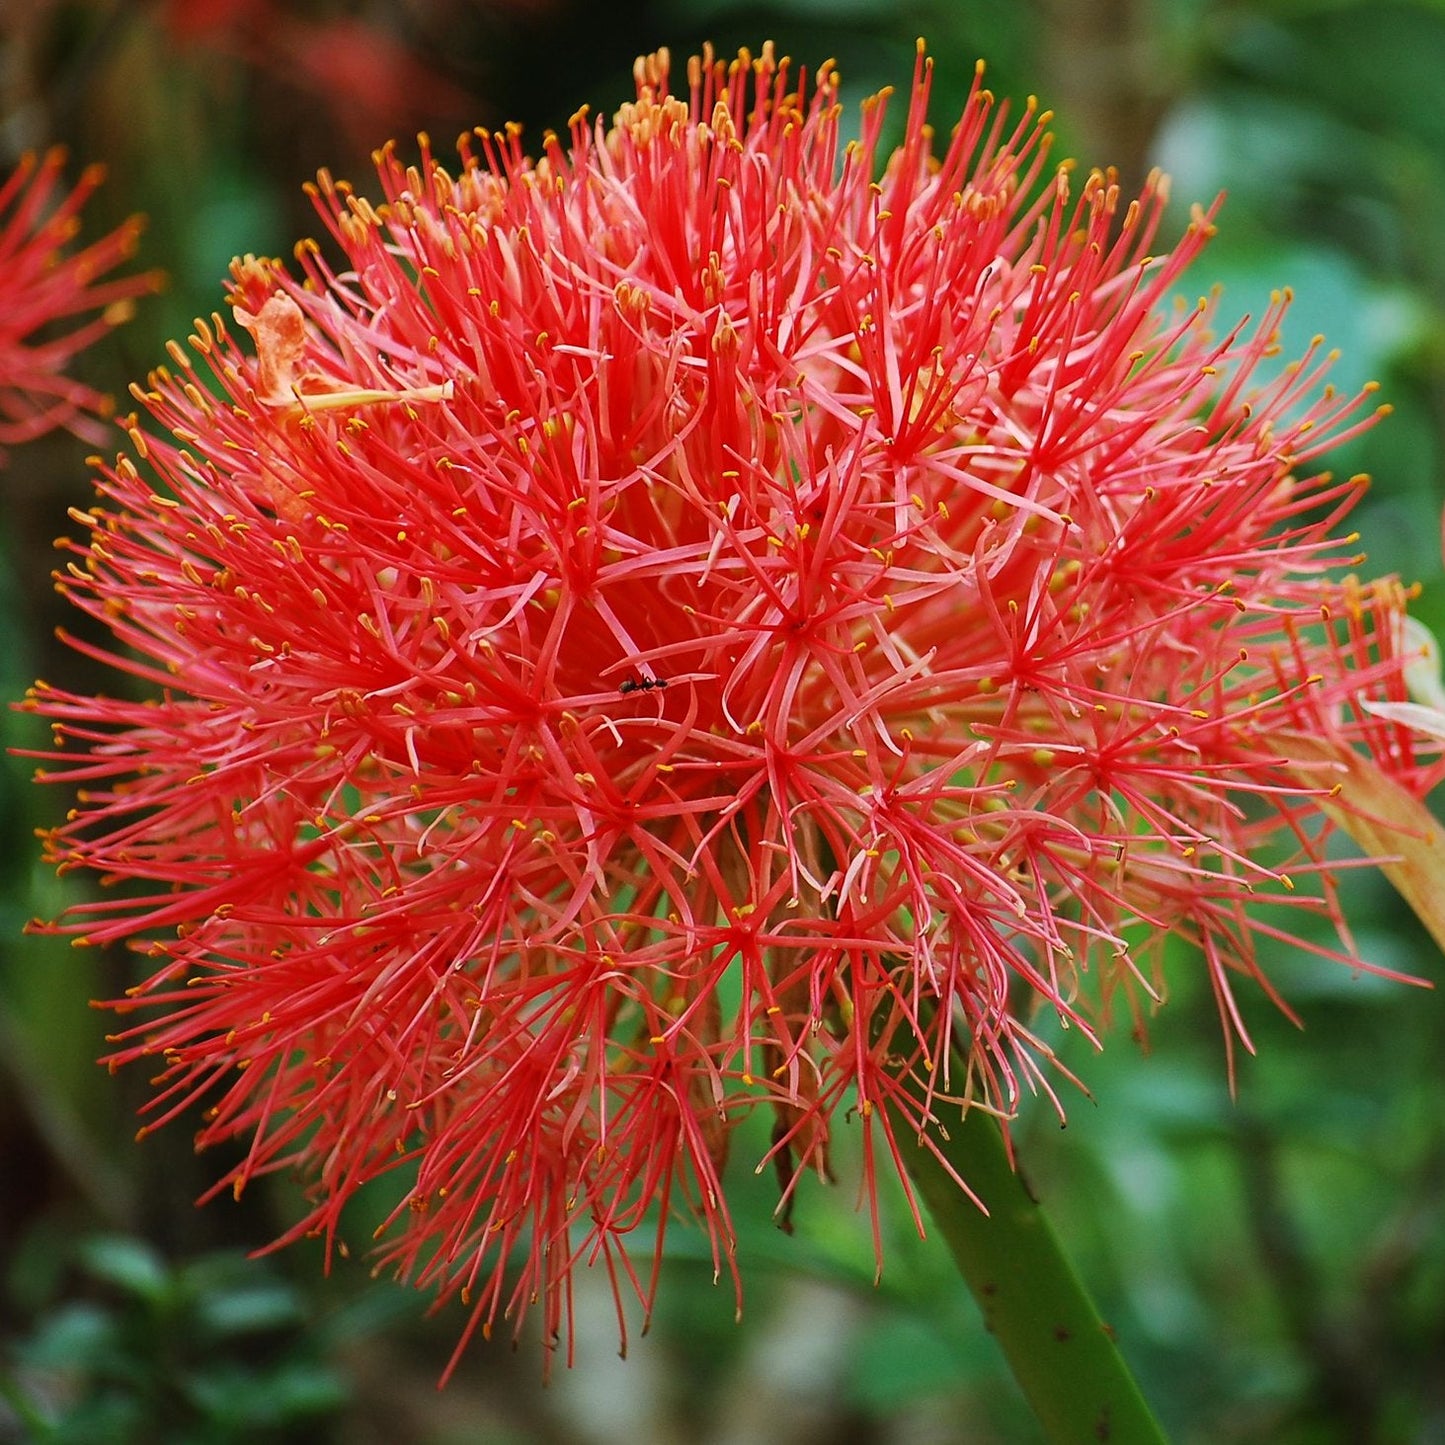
(1061,1353)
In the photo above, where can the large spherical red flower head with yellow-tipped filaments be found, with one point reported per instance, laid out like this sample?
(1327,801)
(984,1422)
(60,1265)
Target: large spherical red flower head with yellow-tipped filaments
(704,619)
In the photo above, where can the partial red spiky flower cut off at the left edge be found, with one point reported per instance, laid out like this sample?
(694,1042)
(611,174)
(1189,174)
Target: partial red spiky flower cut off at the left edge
(43,285)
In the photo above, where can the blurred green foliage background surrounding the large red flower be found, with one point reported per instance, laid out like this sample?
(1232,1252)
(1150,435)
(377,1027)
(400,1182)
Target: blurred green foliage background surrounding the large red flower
(1275,1265)
